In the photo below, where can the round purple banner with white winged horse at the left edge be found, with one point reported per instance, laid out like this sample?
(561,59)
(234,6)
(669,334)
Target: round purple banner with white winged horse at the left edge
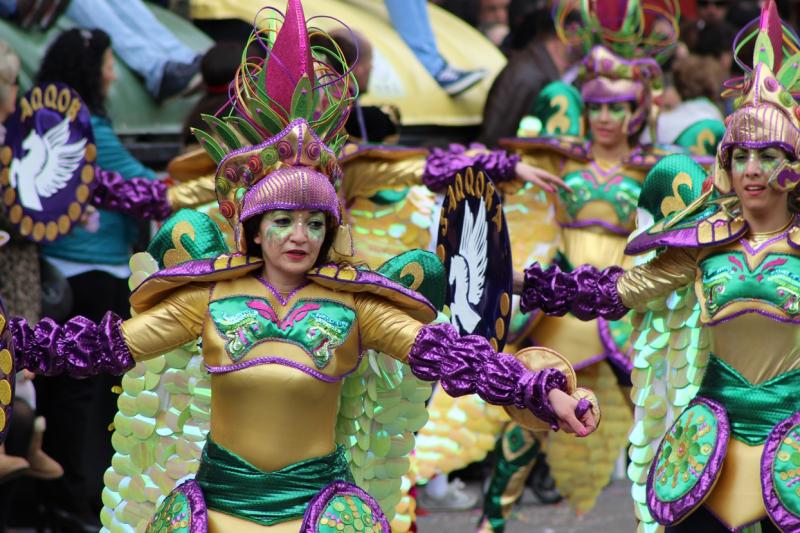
(47,164)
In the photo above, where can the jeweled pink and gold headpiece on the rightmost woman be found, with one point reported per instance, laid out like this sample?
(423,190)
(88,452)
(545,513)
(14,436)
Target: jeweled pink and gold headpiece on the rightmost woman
(766,113)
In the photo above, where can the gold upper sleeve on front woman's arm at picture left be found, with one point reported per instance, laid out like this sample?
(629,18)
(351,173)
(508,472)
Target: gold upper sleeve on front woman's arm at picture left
(173,322)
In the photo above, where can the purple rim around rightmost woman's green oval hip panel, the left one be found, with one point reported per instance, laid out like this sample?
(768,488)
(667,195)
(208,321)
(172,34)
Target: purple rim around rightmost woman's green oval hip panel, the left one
(669,513)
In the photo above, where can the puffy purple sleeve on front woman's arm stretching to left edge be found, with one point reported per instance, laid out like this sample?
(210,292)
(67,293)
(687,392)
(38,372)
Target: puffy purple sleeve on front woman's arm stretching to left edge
(80,348)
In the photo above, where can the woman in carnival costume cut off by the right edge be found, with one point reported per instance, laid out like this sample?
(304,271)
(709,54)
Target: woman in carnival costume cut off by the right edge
(728,461)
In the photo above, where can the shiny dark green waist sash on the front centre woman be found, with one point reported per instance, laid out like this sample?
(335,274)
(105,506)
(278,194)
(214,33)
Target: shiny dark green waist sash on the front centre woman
(233,486)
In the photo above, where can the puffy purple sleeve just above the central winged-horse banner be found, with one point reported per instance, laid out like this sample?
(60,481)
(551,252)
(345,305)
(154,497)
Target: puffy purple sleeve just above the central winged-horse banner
(443,164)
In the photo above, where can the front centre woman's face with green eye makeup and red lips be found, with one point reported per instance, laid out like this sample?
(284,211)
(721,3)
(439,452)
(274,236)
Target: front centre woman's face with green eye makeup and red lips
(291,240)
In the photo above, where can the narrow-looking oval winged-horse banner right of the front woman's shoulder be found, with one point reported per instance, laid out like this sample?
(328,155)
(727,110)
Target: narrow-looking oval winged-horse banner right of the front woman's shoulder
(474,247)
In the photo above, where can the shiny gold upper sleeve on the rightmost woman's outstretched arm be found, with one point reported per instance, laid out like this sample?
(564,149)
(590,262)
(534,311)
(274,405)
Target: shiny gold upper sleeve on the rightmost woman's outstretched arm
(672,269)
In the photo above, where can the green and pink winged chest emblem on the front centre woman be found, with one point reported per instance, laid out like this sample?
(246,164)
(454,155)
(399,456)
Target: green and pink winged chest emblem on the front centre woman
(316,326)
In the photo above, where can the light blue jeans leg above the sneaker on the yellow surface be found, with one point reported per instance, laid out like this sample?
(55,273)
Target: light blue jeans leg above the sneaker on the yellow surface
(410,20)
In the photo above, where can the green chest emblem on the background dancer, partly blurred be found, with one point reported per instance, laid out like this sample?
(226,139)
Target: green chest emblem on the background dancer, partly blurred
(592,185)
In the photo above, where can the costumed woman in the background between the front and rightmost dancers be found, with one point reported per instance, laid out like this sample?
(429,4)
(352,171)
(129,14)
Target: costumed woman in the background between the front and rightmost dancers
(594,213)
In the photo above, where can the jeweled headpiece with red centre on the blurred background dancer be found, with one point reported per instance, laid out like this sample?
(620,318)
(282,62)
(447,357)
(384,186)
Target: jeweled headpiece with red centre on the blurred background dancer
(623,41)
